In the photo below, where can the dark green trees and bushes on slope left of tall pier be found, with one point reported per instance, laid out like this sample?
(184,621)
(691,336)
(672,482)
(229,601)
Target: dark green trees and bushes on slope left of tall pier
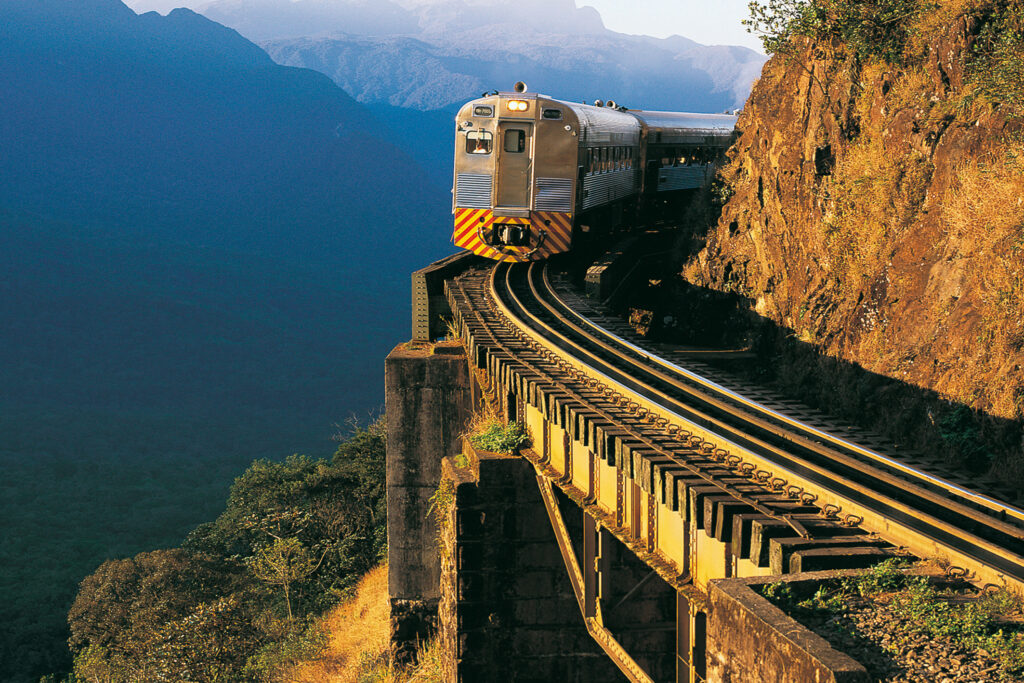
(241,600)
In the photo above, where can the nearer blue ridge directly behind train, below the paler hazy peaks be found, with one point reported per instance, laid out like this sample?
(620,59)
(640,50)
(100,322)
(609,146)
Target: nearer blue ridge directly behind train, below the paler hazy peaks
(443,72)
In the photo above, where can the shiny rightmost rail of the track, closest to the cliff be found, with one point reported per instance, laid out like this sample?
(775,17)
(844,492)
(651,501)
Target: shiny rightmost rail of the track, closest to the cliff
(999,507)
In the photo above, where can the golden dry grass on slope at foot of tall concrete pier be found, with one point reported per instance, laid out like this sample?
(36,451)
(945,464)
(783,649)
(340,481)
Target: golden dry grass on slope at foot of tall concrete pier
(358,644)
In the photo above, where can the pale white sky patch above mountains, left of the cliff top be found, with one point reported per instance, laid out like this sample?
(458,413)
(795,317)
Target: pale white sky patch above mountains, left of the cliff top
(708,22)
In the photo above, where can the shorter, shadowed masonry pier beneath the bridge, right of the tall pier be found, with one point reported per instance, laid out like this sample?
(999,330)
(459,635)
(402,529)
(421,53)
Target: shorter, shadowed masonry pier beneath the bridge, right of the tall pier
(508,612)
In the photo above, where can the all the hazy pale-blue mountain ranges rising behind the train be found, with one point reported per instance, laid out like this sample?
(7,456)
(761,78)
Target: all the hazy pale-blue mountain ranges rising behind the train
(433,55)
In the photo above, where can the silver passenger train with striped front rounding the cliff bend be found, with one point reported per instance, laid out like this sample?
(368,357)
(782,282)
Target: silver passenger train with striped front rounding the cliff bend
(537,177)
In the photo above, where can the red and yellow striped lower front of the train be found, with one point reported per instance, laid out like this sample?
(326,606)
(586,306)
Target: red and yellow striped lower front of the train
(473,227)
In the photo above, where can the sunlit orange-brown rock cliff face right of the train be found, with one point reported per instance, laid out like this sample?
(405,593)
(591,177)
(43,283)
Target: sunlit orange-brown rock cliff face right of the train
(875,212)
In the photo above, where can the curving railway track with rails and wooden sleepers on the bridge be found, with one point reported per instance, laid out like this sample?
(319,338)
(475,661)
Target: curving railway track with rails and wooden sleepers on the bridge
(762,473)
